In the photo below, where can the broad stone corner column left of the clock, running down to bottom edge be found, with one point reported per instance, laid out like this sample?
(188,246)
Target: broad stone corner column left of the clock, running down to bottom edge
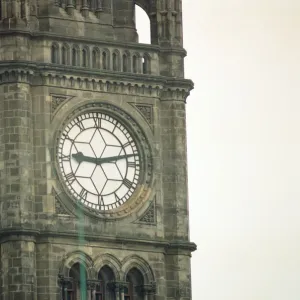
(18,256)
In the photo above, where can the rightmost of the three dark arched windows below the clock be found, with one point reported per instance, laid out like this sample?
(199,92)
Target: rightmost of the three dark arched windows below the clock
(135,282)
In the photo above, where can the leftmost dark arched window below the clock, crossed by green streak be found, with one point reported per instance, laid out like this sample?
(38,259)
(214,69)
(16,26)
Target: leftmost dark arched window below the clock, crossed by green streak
(79,288)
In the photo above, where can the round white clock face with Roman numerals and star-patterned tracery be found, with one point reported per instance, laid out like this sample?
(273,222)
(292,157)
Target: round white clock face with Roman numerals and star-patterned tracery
(99,160)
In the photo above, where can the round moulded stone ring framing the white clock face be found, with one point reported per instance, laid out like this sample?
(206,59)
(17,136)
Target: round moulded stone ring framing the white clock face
(146,180)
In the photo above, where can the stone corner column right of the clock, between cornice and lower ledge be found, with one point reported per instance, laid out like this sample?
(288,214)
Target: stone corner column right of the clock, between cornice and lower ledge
(173,136)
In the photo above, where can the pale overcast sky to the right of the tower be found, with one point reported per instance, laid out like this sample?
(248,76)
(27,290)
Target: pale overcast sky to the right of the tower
(243,121)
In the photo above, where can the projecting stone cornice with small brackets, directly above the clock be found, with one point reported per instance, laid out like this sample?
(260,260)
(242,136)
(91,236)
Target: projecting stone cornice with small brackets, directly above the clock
(165,88)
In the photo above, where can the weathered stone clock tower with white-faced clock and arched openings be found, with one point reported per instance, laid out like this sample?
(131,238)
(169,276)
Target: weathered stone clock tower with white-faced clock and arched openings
(93,175)
